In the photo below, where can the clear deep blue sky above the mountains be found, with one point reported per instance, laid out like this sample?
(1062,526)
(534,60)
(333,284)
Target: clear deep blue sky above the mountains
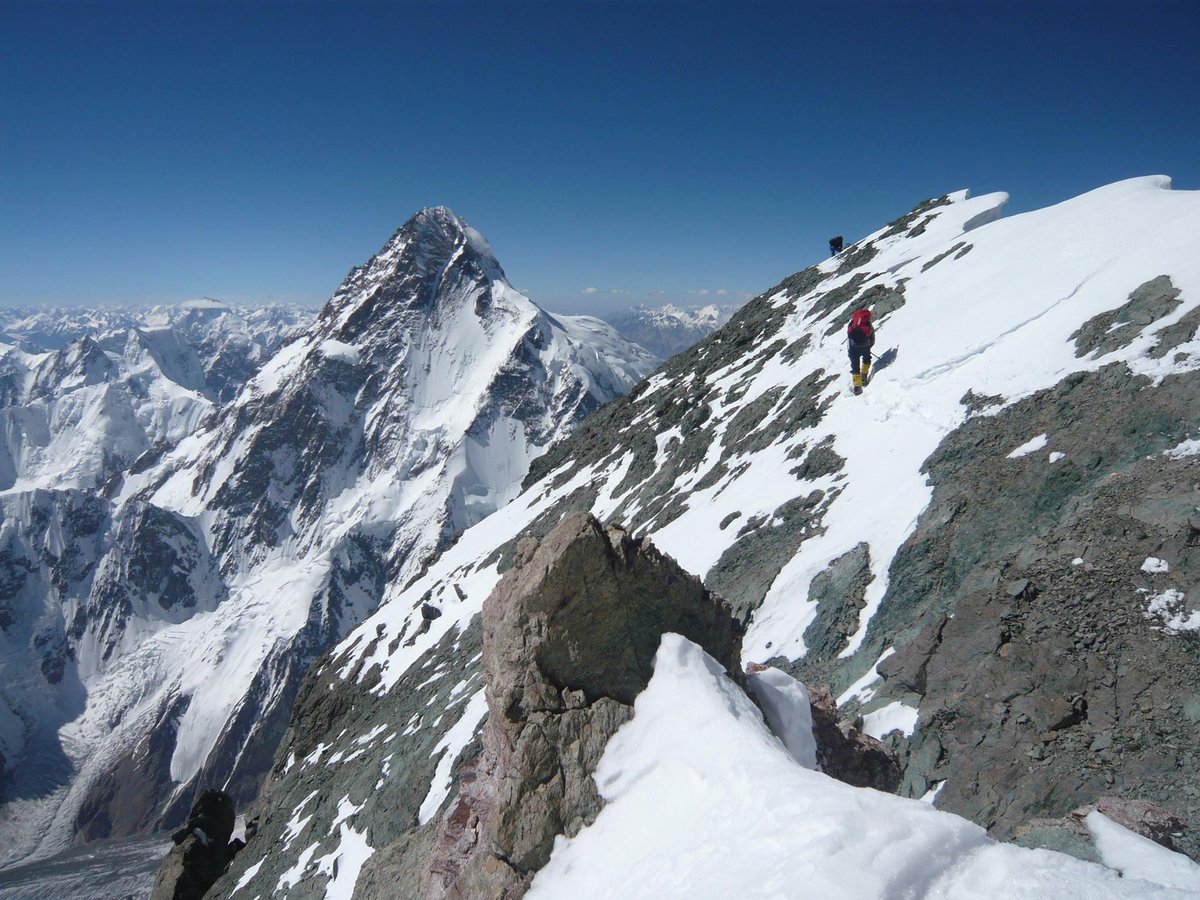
(613,153)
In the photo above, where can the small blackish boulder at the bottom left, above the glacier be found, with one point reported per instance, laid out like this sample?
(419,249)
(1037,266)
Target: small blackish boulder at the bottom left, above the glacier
(202,850)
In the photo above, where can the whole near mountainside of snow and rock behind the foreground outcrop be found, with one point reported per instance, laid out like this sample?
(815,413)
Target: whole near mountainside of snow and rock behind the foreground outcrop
(988,557)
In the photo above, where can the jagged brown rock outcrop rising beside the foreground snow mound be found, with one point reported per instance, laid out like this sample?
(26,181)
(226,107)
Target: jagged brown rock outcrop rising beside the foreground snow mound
(571,637)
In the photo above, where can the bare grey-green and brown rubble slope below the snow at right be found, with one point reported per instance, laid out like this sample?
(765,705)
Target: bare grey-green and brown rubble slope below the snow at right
(1019,614)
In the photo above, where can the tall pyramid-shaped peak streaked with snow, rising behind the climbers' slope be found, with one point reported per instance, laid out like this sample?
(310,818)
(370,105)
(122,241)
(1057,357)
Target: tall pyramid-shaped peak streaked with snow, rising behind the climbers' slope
(409,411)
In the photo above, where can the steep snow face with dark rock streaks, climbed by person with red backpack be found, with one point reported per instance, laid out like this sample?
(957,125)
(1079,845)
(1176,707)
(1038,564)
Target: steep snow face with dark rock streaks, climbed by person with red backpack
(749,461)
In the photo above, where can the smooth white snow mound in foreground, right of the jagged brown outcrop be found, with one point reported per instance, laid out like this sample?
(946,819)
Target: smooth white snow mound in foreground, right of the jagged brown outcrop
(705,802)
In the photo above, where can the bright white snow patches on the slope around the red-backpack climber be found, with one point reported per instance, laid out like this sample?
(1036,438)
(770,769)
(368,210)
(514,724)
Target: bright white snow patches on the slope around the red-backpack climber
(1004,326)
